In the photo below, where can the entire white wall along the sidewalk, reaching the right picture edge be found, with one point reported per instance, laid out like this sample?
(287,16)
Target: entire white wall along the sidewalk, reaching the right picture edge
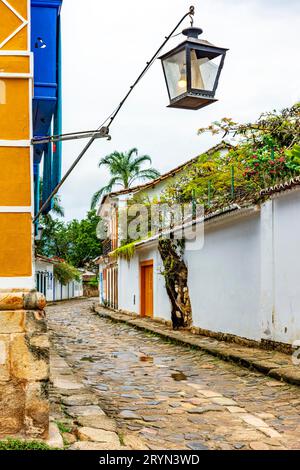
(244,280)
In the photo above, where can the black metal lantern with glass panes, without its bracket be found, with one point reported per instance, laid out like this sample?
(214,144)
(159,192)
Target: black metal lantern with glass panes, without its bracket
(192,71)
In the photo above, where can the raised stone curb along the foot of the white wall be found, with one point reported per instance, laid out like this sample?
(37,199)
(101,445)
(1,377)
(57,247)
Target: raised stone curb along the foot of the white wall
(274,364)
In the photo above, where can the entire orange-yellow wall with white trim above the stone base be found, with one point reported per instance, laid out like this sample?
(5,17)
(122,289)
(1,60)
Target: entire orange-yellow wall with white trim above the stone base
(15,165)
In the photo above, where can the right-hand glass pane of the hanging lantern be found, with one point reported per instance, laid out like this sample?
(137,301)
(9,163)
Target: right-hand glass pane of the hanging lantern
(204,71)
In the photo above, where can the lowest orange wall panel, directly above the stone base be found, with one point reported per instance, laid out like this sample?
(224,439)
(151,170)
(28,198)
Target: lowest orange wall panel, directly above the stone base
(15,245)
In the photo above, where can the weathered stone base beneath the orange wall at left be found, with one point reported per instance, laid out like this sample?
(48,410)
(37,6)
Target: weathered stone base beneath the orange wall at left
(24,365)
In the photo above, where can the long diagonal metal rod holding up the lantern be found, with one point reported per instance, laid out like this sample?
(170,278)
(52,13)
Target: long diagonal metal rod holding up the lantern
(114,114)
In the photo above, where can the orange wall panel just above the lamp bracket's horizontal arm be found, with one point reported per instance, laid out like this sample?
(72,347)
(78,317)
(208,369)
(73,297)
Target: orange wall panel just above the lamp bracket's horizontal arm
(14,113)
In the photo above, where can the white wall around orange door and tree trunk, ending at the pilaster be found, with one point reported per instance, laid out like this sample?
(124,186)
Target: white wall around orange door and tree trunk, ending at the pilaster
(224,279)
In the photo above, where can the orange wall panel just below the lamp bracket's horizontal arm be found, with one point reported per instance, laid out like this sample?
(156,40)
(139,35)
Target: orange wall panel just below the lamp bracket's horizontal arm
(15,176)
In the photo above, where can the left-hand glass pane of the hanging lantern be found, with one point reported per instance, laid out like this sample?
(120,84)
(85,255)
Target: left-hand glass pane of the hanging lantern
(175,70)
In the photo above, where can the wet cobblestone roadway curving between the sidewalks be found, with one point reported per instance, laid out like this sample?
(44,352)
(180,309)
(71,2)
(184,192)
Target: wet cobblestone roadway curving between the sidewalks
(172,397)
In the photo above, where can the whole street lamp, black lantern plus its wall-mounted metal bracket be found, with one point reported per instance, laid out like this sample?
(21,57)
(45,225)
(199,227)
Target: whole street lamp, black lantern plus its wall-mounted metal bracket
(192,72)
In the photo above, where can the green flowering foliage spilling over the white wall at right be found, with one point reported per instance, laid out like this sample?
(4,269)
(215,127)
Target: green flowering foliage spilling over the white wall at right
(268,153)
